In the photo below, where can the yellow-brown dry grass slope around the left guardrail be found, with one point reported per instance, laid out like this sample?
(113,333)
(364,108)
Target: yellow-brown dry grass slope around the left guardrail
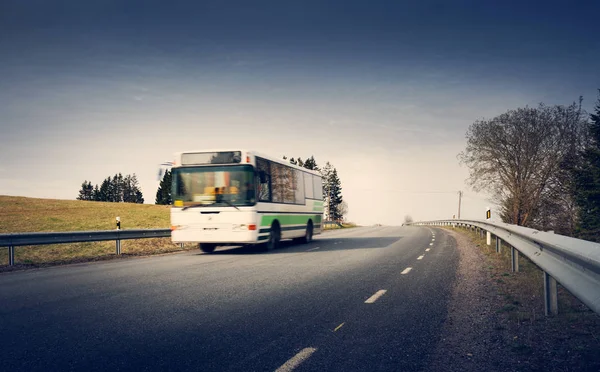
(20,214)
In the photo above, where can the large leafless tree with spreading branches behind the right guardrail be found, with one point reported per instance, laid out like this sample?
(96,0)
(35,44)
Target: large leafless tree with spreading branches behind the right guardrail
(519,157)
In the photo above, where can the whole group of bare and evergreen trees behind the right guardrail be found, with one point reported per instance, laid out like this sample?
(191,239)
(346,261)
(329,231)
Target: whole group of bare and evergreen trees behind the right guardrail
(542,166)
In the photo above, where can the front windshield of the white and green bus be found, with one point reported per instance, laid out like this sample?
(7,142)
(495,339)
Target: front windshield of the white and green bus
(221,186)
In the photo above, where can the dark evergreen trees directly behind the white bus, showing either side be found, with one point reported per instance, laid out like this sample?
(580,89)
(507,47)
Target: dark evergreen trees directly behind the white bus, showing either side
(335,207)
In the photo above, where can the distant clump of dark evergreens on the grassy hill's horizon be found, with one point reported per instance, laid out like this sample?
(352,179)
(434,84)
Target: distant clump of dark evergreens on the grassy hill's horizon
(117,189)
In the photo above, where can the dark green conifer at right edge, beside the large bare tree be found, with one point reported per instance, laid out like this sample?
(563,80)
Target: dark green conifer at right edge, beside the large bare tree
(587,182)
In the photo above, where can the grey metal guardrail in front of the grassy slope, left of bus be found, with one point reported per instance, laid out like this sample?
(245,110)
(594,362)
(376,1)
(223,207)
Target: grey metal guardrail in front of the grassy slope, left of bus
(43,238)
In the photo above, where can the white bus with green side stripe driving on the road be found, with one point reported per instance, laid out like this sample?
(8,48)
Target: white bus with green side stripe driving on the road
(238,197)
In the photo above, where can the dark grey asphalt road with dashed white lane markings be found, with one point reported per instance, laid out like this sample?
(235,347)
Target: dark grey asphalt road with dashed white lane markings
(347,301)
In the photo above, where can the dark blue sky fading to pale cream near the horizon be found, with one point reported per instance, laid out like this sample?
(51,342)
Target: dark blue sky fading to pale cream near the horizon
(383,90)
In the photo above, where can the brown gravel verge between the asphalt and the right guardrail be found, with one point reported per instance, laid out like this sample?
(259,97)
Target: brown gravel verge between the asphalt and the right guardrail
(495,320)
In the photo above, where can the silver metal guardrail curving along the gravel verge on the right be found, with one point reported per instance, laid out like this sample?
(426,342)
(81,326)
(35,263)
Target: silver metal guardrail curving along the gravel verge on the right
(573,263)
